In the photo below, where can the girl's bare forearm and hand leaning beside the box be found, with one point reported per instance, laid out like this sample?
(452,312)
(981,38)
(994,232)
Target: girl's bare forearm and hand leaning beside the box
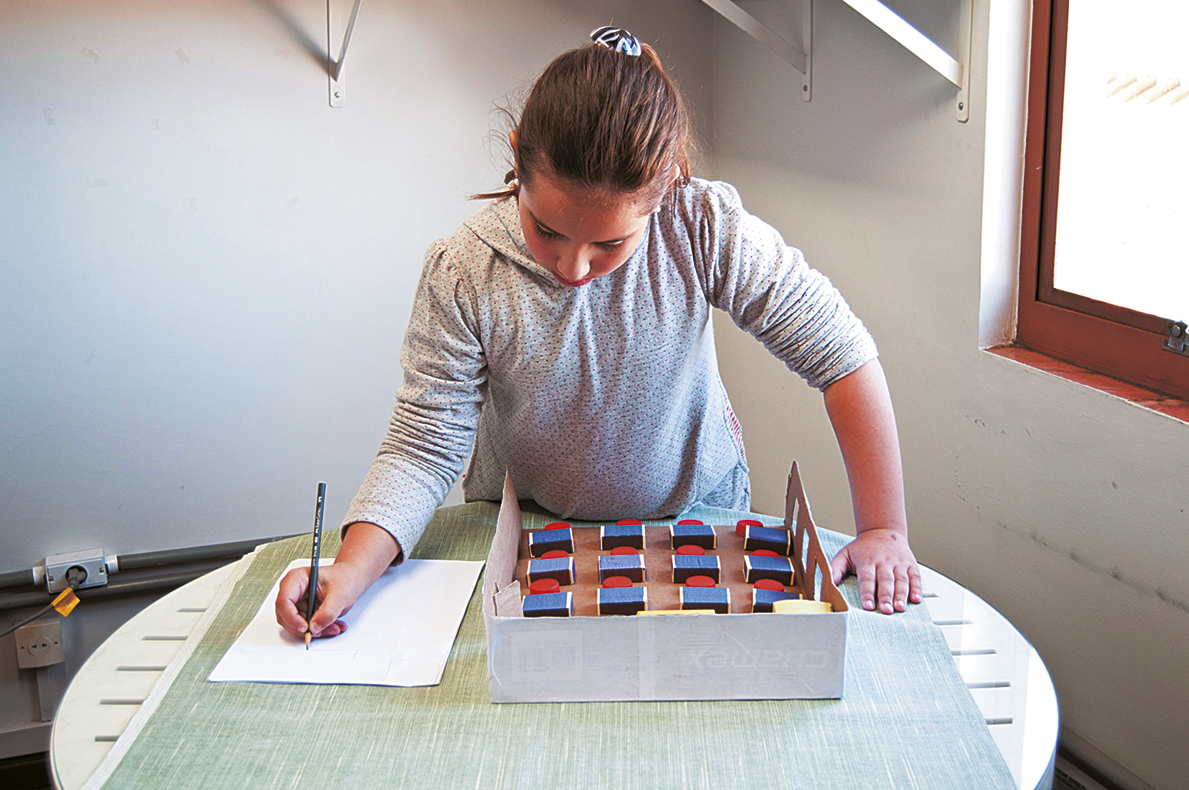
(860,410)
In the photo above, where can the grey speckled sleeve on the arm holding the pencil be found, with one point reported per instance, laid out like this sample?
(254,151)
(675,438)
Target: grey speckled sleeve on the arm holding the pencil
(437,410)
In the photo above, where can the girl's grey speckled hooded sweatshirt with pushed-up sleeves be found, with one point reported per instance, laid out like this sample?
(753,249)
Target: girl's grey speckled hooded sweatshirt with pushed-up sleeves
(605,402)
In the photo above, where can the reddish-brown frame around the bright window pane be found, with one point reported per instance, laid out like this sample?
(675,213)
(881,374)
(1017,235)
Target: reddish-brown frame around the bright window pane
(1106,338)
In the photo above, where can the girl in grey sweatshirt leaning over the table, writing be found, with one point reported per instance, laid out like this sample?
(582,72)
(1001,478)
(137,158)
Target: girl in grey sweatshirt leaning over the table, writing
(565,330)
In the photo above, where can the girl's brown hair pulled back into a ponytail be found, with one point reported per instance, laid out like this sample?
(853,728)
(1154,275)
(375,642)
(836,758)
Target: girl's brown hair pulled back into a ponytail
(603,122)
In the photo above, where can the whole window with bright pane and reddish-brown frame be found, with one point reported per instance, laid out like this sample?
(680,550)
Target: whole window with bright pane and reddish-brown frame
(1105,256)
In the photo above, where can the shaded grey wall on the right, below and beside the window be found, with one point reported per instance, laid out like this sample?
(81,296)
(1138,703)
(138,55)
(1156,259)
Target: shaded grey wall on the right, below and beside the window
(1064,507)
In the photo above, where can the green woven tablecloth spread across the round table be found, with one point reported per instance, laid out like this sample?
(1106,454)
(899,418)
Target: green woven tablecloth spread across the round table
(907,720)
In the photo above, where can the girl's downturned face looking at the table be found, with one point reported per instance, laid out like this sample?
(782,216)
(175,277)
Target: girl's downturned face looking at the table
(576,239)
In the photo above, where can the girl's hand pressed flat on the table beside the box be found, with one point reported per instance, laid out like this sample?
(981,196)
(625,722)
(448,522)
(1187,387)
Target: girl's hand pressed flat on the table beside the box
(886,569)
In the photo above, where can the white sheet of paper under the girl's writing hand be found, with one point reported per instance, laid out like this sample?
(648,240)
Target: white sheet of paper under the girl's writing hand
(399,634)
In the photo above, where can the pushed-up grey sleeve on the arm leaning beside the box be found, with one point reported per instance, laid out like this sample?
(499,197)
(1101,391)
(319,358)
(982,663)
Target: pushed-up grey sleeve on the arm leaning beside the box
(771,292)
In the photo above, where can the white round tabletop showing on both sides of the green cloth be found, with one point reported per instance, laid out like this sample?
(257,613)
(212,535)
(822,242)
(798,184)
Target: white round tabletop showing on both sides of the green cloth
(1005,675)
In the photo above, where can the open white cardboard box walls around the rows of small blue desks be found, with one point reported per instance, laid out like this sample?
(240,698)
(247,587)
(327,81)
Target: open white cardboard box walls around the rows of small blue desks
(636,659)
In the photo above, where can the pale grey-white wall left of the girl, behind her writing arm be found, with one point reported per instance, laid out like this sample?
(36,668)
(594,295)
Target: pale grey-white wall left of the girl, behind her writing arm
(207,271)
